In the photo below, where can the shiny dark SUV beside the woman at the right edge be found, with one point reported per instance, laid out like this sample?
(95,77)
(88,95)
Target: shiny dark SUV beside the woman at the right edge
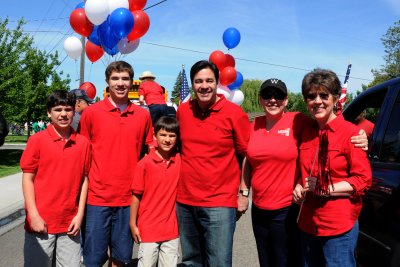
(379,239)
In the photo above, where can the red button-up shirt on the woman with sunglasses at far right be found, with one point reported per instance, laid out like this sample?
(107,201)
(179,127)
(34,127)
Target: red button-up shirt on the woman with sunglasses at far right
(327,216)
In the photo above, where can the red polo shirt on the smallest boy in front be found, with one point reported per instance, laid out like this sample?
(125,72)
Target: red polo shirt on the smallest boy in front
(157,180)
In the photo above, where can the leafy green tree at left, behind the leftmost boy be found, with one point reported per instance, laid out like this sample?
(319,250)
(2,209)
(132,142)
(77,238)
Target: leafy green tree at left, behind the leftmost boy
(27,76)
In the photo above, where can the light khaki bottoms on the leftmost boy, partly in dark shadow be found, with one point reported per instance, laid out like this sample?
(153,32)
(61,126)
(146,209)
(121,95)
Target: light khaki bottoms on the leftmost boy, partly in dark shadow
(40,249)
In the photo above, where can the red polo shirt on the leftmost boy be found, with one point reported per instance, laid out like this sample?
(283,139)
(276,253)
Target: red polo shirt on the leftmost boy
(59,166)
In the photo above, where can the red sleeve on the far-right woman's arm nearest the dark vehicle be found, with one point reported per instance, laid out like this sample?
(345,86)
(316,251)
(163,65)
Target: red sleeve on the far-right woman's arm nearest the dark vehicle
(360,174)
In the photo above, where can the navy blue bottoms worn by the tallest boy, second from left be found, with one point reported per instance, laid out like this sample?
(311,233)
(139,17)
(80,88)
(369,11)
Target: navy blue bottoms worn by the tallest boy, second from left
(107,227)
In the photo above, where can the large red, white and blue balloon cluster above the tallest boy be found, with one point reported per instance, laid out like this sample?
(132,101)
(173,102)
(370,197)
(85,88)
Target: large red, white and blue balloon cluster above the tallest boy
(111,26)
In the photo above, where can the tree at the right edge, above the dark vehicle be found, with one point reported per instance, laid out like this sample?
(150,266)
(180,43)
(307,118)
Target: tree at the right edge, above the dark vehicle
(391,68)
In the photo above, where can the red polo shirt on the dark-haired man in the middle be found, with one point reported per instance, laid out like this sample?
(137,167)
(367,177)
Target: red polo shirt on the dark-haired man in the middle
(211,142)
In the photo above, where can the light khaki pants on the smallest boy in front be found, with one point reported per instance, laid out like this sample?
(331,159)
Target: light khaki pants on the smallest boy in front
(165,253)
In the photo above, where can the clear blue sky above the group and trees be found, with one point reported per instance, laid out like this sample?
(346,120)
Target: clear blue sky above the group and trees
(279,39)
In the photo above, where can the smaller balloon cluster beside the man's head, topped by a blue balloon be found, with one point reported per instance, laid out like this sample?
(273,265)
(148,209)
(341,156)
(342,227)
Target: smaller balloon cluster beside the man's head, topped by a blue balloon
(229,78)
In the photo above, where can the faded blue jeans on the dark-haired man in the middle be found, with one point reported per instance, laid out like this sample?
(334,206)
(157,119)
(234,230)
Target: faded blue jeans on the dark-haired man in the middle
(206,235)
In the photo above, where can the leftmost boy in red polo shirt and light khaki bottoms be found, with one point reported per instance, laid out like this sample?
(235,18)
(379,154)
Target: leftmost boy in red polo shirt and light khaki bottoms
(55,165)
